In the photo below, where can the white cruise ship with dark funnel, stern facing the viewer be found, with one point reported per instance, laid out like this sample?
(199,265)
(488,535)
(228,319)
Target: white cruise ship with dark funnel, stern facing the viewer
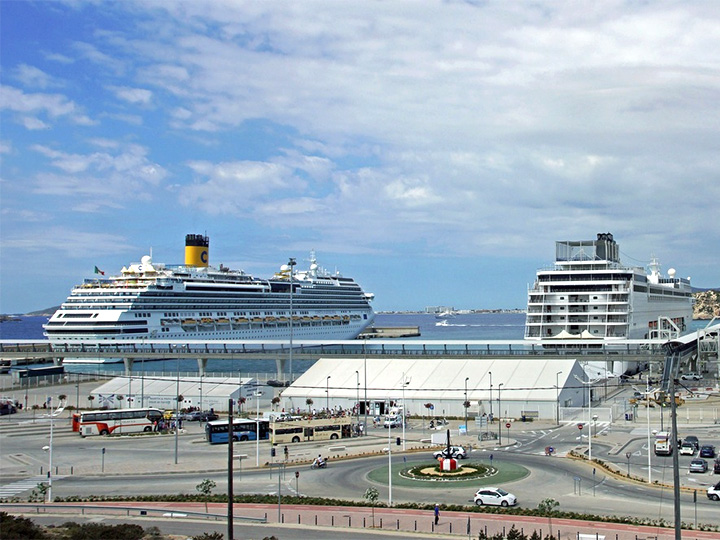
(590,294)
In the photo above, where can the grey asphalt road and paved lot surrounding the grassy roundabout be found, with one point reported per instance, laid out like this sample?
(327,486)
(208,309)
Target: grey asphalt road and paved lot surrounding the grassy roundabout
(571,483)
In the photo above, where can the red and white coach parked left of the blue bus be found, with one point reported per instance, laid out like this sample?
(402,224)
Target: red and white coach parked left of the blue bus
(105,422)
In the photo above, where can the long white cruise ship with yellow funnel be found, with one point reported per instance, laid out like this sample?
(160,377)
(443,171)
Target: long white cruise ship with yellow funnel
(196,301)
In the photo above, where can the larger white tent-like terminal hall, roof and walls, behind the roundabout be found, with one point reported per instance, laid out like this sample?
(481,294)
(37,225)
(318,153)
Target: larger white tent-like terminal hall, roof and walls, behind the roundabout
(439,387)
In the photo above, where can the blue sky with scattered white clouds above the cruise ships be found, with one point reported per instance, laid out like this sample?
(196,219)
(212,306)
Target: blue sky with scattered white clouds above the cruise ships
(434,151)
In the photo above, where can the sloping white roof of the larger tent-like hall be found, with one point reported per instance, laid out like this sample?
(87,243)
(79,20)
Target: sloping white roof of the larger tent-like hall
(439,378)
